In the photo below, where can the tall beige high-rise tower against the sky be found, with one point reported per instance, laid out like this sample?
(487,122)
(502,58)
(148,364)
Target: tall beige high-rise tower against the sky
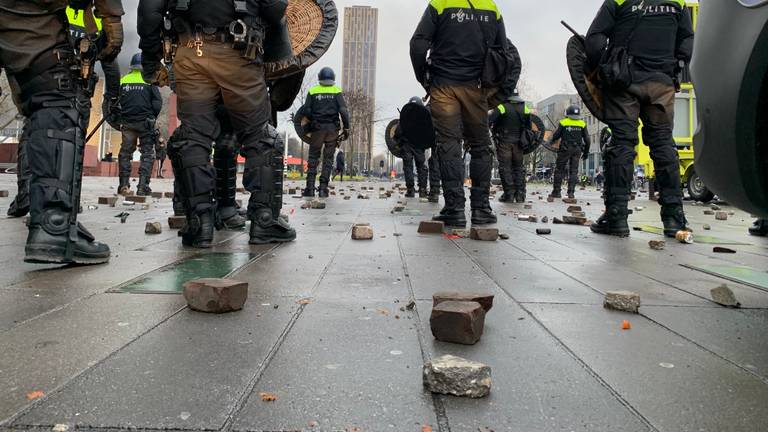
(359,81)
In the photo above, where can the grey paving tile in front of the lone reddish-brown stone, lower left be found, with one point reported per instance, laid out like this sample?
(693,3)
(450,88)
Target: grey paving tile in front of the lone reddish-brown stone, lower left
(188,373)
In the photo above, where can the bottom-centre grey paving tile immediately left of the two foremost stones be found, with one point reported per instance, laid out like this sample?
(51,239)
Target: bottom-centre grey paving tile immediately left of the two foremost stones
(342,366)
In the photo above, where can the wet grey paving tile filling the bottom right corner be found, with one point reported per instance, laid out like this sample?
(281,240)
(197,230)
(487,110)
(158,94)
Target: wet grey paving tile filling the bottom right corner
(674,384)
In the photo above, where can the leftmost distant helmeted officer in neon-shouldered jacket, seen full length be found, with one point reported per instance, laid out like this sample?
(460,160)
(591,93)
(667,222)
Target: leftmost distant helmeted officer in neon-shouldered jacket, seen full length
(140,104)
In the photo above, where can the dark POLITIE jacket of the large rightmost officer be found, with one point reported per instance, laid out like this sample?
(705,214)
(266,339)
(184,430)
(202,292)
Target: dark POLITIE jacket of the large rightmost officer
(663,35)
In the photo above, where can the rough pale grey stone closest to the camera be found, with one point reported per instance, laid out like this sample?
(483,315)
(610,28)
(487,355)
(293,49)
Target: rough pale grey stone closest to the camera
(456,376)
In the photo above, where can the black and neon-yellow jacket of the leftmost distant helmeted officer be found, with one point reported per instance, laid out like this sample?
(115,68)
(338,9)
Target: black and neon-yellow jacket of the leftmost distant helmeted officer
(139,101)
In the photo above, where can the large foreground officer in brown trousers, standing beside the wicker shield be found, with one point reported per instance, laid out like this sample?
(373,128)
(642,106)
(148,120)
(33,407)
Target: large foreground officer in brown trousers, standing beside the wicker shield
(219,59)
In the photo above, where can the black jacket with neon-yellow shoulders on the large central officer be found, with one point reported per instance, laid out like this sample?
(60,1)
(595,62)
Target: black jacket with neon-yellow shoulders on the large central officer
(455,42)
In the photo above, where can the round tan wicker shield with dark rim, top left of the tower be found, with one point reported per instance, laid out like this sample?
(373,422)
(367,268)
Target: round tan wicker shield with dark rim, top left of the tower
(312,25)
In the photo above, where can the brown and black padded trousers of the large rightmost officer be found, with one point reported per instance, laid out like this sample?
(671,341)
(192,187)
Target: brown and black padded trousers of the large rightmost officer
(652,102)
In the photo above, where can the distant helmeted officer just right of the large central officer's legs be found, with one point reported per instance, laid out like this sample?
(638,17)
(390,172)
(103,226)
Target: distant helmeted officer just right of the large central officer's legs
(508,120)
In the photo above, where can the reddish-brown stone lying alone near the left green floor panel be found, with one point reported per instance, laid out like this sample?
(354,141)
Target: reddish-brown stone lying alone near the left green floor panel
(215,295)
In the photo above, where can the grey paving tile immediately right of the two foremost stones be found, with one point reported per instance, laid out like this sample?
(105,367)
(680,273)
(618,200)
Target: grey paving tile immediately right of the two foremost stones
(537,385)
